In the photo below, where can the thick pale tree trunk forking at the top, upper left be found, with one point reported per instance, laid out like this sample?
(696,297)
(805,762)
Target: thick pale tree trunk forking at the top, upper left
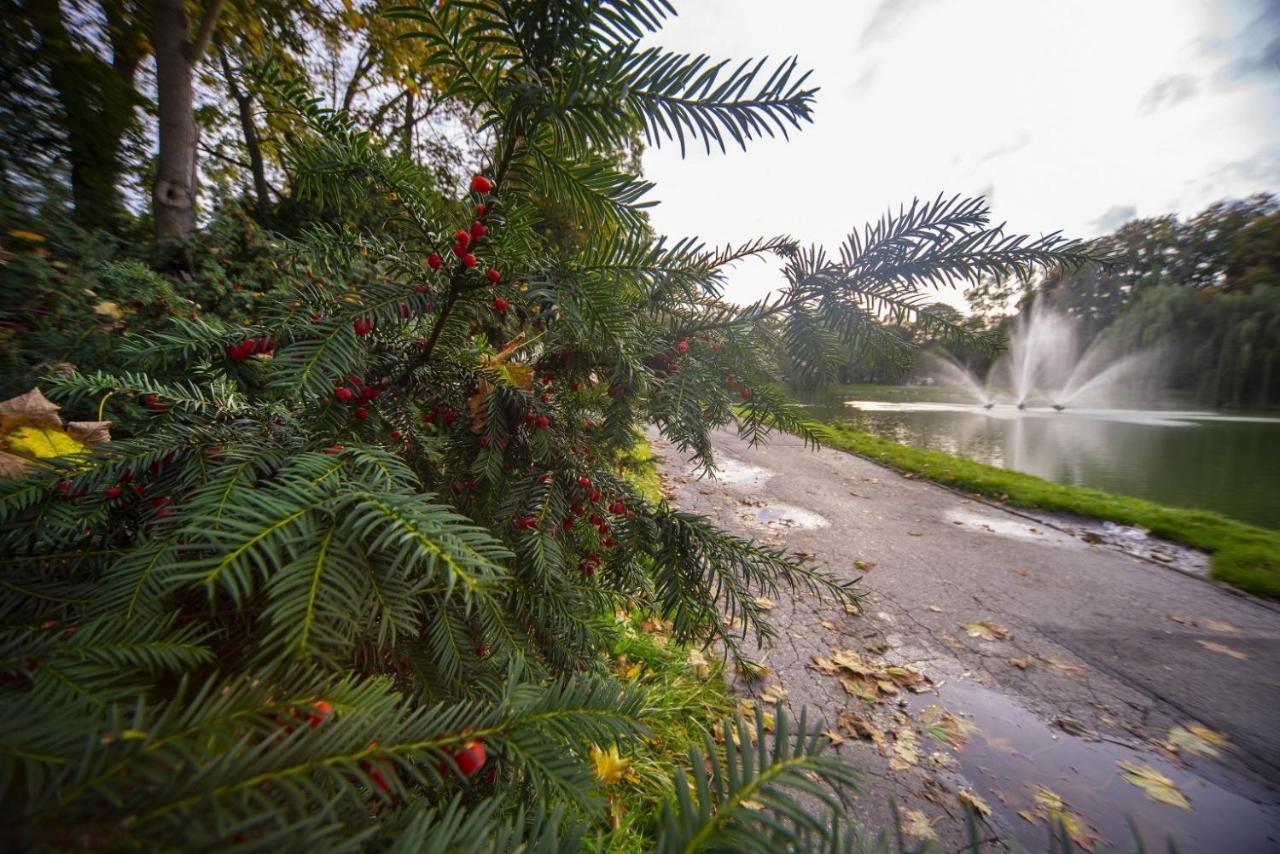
(175,193)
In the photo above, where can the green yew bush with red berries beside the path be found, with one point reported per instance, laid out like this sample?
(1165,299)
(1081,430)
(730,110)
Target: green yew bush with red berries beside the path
(348,574)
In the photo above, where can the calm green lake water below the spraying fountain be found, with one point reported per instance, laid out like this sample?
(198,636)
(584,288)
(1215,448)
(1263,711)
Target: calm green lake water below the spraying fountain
(1222,462)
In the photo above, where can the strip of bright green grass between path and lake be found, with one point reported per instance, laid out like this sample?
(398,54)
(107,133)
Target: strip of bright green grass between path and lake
(1245,556)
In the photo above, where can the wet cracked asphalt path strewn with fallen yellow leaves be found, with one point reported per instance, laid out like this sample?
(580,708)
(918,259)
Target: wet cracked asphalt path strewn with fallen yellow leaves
(1105,655)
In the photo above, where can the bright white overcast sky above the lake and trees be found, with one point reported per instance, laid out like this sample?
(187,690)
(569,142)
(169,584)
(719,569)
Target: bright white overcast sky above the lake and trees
(1069,116)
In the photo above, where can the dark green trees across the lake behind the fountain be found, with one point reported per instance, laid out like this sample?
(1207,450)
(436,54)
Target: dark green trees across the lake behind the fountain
(1205,291)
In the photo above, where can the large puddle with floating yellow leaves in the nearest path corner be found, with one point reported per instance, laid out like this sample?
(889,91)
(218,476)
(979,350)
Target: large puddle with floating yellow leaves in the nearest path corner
(1013,752)
